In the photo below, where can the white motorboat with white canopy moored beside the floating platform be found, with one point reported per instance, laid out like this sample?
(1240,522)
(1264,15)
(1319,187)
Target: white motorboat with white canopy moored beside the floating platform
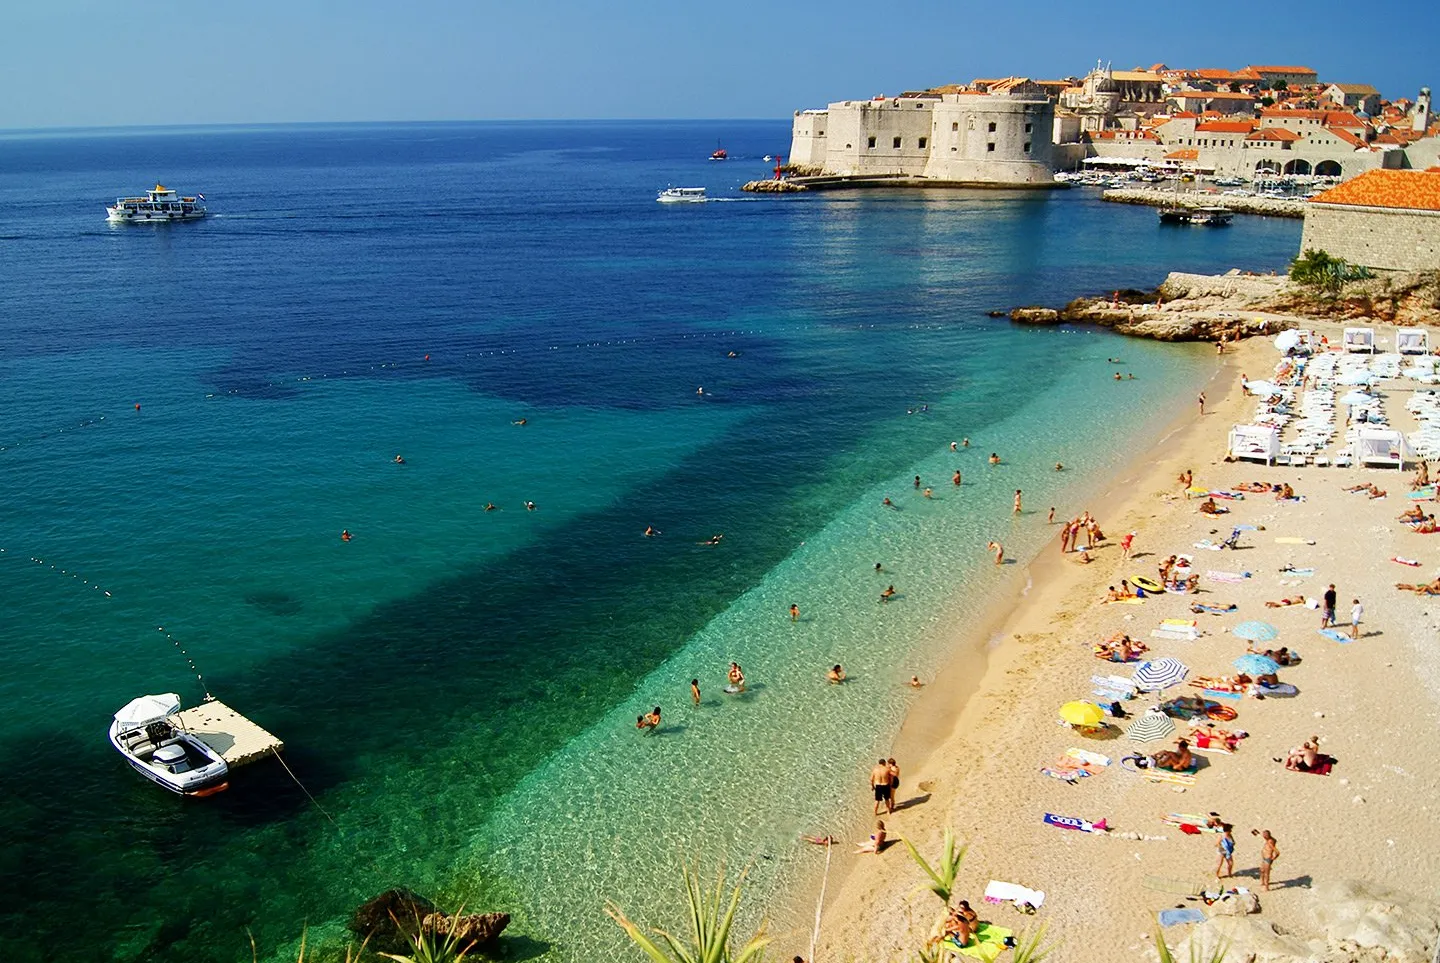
(159,749)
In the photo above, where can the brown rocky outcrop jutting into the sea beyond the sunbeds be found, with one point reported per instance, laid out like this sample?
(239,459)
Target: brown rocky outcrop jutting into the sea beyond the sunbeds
(1192,307)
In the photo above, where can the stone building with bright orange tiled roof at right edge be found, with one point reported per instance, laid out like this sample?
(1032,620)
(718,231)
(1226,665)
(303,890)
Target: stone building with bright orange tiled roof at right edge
(1386,220)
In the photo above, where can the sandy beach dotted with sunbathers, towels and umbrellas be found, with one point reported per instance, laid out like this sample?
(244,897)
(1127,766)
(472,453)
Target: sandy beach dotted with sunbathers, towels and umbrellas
(1359,847)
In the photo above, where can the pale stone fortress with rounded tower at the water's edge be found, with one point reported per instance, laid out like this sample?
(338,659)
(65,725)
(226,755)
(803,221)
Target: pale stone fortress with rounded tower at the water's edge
(1002,137)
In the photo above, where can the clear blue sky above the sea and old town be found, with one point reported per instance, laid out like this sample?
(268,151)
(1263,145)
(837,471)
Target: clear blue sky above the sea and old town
(110,63)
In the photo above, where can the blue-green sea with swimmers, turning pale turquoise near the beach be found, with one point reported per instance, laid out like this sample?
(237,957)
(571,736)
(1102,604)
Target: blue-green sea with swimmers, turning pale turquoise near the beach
(194,414)
